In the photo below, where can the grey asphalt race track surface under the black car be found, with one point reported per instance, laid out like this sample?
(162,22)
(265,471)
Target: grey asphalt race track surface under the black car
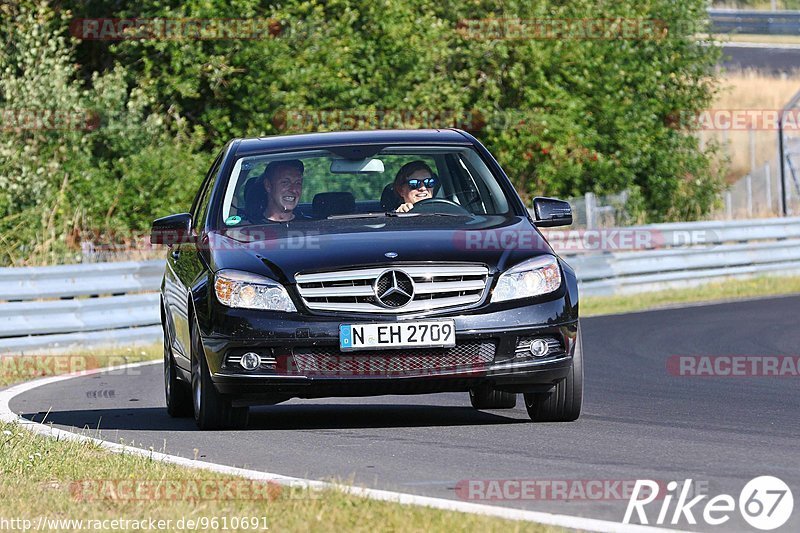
(639,421)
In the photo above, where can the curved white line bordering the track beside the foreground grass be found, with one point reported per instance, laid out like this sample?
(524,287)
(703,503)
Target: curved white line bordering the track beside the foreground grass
(574,522)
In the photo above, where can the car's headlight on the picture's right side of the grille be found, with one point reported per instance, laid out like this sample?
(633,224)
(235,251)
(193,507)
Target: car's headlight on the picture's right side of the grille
(534,277)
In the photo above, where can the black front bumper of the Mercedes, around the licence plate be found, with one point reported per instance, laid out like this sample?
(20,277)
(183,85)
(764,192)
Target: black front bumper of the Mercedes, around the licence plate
(284,336)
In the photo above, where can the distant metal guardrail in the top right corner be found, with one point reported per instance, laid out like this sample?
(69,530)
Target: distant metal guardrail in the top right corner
(755,22)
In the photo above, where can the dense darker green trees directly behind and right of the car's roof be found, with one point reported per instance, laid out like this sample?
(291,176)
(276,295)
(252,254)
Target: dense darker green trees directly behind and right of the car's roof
(596,114)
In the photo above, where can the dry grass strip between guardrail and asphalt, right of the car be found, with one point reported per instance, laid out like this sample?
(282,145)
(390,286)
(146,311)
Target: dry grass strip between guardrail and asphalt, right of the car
(712,292)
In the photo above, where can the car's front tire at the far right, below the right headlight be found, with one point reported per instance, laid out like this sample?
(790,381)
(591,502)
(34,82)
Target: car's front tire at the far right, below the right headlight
(563,402)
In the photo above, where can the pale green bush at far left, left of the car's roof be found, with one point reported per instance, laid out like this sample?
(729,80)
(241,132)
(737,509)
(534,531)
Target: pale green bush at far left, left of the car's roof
(110,177)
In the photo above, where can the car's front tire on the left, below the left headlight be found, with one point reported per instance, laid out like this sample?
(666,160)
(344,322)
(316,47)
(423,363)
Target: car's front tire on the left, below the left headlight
(211,409)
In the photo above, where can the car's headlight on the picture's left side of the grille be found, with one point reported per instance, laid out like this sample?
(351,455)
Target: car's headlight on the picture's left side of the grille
(248,291)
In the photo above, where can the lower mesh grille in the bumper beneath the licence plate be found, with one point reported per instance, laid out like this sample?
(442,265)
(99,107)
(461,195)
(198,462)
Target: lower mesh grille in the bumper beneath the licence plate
(470,356)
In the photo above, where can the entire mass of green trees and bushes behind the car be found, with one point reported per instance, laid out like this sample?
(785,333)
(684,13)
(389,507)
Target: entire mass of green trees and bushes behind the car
(564,116)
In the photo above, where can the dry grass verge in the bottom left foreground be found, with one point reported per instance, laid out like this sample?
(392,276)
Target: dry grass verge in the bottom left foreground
(63,480)
